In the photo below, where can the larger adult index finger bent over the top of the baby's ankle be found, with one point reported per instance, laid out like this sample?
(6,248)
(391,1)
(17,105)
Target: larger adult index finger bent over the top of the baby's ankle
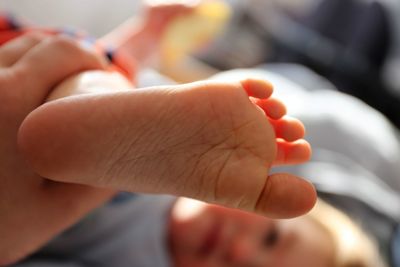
(47,64)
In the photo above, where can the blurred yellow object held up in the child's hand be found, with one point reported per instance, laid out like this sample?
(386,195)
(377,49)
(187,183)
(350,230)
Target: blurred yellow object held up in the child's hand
(193,31)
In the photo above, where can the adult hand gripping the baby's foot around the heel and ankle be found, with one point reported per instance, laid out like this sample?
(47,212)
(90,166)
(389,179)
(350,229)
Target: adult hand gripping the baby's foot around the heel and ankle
(33,209)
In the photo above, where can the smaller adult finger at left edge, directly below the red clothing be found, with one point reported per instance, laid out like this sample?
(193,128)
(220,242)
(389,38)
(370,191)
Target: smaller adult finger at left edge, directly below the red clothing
(13,50)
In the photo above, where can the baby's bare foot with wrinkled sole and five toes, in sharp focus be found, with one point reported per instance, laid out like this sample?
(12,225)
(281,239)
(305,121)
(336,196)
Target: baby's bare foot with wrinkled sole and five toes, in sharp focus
(211,141)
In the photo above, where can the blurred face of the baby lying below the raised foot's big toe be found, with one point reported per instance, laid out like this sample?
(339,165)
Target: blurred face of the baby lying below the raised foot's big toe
(203,235)
